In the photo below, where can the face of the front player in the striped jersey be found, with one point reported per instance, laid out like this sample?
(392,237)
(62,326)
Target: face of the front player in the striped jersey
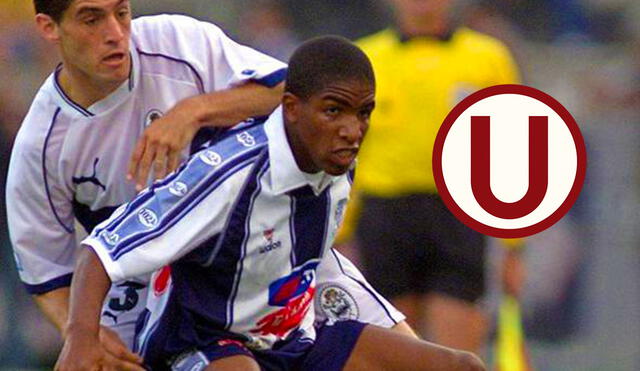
(330,126)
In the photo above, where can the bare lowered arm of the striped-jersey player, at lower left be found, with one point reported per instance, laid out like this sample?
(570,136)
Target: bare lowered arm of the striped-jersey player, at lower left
(84,348)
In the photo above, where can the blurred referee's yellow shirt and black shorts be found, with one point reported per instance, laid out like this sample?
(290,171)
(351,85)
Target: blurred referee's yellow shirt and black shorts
(410,242)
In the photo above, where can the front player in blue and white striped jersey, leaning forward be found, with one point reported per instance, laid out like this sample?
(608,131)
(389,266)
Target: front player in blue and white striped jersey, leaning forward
(244,225)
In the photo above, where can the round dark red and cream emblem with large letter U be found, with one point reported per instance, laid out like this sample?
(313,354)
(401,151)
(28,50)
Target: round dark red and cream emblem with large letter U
(509,161)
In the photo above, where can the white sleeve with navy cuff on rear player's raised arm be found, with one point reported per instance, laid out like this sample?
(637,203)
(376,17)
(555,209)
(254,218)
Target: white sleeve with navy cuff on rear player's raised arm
(219,61)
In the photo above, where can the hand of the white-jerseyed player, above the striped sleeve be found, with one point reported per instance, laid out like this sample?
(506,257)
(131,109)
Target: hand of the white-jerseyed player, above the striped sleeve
(162,143)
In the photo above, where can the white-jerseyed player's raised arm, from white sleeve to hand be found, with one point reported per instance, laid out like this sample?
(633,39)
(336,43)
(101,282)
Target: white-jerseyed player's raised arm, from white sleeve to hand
(237,83)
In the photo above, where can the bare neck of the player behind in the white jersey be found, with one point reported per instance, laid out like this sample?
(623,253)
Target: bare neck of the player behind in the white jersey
(82,89)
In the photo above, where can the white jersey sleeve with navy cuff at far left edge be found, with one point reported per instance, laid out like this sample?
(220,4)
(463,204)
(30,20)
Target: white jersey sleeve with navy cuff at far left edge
(39,212)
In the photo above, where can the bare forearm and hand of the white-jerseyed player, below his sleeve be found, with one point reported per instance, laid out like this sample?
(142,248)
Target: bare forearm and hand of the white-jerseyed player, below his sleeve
(162,142)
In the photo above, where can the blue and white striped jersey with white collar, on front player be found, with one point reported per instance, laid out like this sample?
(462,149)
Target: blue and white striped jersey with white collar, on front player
(243,230)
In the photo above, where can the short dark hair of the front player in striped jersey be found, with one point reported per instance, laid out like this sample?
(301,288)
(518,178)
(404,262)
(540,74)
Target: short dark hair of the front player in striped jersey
(322,60)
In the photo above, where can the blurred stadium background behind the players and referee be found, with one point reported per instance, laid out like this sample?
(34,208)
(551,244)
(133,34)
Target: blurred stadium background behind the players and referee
(582,294)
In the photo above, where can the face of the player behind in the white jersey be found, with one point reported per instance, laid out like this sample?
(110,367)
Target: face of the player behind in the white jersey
(94,39)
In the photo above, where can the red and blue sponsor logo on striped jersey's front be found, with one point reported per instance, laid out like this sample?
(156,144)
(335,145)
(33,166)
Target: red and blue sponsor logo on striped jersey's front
(294,293)
